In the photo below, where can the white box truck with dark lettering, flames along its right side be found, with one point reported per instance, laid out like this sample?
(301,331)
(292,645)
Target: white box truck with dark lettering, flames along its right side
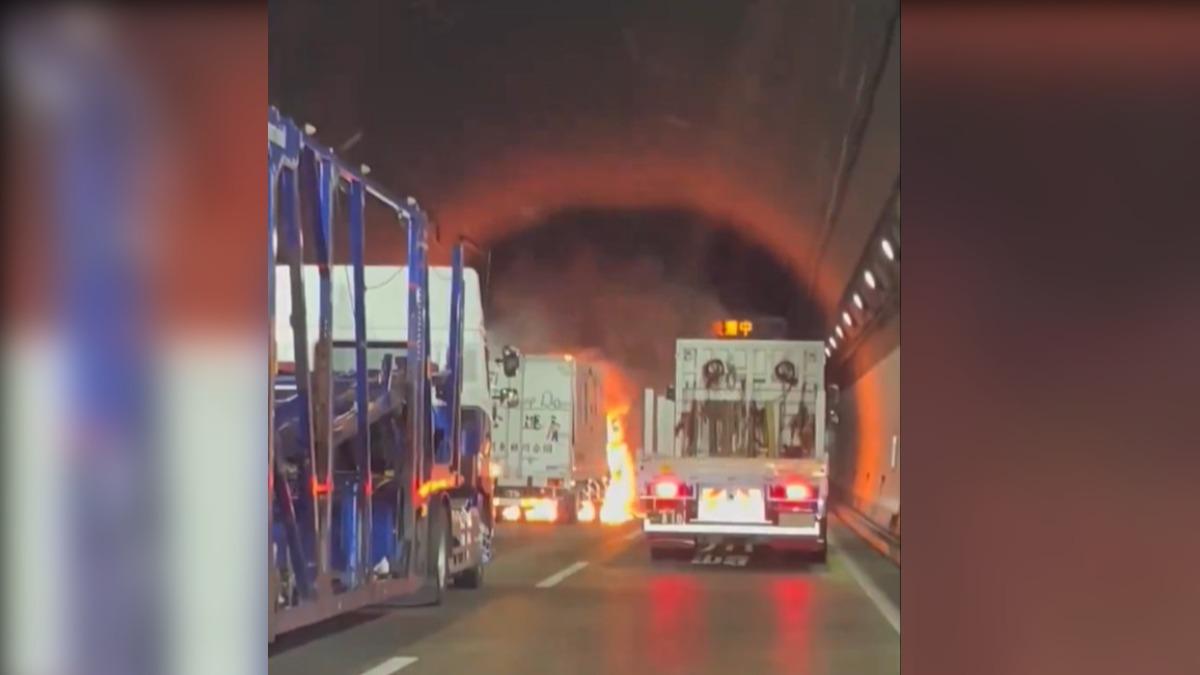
(550,446)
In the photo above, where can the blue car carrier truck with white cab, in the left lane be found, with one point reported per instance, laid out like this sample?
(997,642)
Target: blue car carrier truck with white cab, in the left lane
(380,409)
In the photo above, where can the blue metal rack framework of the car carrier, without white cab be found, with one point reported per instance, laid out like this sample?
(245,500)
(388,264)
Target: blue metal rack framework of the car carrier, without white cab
(344,516)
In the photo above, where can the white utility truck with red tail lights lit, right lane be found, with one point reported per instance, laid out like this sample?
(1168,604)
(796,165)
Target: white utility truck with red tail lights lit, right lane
(747,459)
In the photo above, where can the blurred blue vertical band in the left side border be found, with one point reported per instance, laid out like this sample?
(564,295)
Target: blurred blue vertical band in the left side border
(115,469)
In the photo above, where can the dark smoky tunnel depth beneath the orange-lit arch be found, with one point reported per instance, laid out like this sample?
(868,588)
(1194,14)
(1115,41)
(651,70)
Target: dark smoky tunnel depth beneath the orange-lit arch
(626,283)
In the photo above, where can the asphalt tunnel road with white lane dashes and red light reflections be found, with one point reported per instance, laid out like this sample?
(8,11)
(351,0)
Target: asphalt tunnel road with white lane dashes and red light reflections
(587,600)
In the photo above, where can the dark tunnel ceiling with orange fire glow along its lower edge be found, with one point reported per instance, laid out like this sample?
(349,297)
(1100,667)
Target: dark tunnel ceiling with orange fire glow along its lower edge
(499,115)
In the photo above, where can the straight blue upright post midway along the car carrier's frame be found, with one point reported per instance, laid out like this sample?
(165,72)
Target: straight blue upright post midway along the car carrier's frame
(358,244)
